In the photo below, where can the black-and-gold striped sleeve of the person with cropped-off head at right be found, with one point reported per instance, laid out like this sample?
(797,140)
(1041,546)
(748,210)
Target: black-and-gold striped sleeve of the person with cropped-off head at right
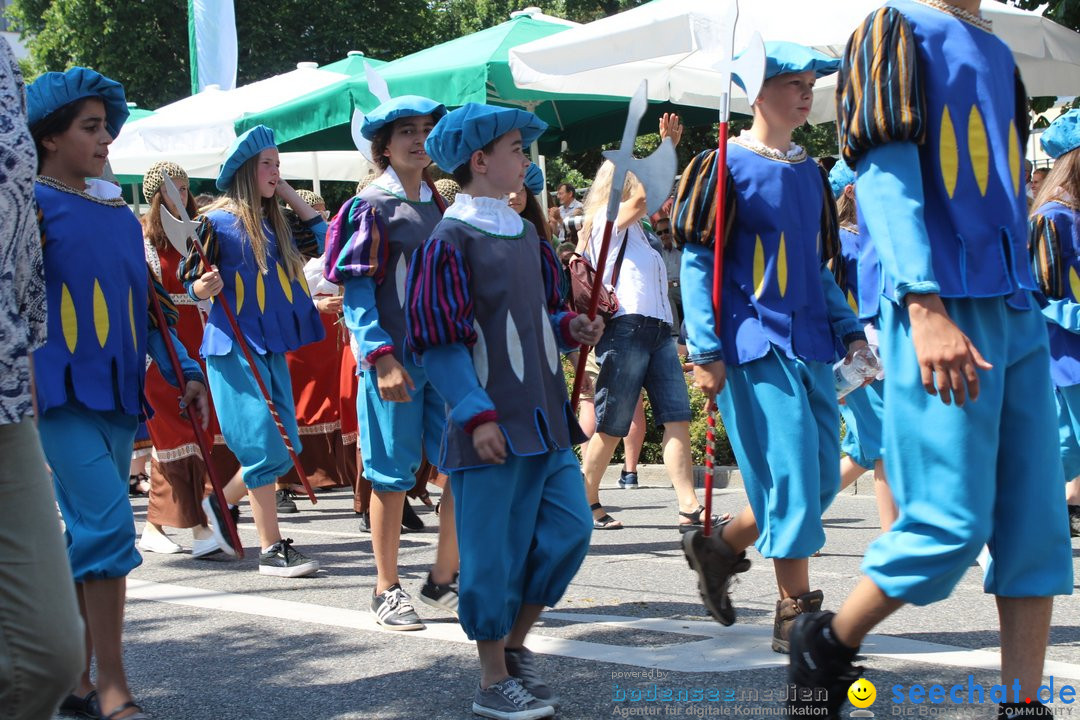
(880,94)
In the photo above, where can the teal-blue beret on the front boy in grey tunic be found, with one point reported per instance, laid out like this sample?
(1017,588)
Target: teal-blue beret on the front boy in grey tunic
(474,126)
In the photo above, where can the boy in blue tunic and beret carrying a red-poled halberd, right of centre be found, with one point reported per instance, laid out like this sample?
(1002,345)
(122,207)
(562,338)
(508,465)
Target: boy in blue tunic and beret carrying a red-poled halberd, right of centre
(771,369)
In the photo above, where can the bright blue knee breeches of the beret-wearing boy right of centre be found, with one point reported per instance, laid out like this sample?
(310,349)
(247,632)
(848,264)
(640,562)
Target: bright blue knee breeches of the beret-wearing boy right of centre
(782,419)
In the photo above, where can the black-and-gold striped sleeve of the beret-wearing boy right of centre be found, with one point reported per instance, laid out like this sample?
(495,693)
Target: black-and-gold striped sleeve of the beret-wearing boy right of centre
(694,214)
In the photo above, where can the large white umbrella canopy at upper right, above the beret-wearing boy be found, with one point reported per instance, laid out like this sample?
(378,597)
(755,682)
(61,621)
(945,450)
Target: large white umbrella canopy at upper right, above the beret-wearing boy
(655,42)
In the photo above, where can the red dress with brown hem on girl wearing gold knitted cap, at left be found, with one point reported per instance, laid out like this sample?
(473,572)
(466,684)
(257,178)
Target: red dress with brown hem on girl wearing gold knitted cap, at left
(179,479)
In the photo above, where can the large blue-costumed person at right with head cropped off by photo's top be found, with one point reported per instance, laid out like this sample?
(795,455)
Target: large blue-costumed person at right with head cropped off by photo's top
(936,135)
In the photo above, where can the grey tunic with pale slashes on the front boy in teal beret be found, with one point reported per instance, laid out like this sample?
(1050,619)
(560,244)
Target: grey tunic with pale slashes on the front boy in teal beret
(517,354)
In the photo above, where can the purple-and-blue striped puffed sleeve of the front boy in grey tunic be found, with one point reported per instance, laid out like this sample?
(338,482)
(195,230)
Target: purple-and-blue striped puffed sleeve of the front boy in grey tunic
(440,310)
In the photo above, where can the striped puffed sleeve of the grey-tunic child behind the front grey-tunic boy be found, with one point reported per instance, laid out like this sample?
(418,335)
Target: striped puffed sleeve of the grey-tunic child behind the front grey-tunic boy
(357,244)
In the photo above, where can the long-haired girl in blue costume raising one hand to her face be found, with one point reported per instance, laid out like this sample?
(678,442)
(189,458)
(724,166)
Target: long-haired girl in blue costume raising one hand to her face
(258,263)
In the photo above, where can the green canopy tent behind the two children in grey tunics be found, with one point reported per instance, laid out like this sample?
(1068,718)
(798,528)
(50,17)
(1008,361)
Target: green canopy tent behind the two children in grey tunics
(474,69)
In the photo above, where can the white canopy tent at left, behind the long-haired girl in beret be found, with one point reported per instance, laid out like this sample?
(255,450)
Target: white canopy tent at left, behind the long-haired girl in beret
(197,131)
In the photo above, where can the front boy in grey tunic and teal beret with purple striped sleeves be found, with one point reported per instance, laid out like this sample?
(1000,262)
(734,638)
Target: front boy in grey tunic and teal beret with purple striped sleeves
(484,314)
